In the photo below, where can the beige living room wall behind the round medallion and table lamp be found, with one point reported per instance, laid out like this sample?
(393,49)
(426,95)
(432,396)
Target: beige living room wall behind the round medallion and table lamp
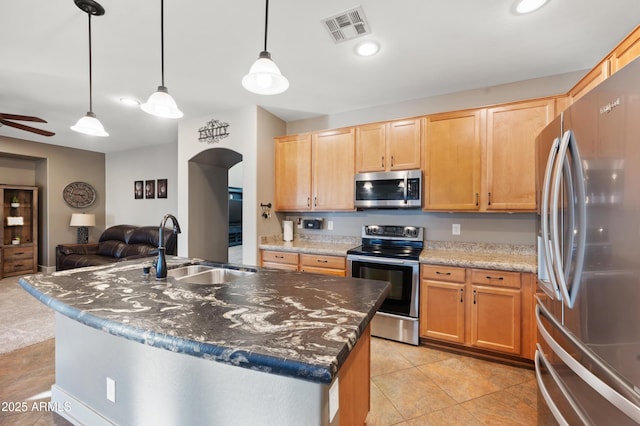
(54,167)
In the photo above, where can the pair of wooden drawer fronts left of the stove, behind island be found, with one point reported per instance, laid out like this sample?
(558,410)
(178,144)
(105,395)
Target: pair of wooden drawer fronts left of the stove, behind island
(303,262)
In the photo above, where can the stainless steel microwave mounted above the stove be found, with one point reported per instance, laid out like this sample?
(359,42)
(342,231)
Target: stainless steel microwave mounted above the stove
(399,189)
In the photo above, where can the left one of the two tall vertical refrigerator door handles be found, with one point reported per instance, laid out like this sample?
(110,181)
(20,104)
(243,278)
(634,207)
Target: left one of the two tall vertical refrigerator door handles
(551,289)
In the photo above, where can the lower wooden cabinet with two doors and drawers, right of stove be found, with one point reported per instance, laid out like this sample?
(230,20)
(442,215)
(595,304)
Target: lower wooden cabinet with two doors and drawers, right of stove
(476,308)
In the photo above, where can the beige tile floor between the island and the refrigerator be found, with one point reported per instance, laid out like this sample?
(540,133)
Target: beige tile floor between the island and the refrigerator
(413,386)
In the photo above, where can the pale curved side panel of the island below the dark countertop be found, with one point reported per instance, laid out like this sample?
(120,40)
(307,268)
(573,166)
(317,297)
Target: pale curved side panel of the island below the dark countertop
(157,386)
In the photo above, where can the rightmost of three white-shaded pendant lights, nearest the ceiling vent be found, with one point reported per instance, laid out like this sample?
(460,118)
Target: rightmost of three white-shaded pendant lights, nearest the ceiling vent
(264,77)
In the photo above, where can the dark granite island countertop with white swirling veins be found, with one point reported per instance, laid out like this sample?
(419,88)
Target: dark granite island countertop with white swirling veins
(288,323)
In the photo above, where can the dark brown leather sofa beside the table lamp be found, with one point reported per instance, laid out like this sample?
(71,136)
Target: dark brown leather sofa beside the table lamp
(117,243)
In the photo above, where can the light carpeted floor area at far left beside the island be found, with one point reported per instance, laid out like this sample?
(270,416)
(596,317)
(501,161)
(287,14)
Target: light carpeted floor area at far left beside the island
(23,319)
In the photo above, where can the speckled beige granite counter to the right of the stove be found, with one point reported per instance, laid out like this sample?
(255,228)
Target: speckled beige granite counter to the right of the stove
(506,257)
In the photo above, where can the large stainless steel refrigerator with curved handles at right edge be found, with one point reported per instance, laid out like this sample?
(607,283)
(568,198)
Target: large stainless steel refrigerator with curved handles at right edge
(588,300)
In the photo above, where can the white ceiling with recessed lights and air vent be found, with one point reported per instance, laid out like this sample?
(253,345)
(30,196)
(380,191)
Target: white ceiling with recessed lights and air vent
(429,47)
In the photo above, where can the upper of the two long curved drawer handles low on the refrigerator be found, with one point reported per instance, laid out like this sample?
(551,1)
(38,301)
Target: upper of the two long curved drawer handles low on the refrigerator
(607,392)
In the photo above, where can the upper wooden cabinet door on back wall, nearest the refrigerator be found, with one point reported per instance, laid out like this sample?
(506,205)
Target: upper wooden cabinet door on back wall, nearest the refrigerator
(510,154)
